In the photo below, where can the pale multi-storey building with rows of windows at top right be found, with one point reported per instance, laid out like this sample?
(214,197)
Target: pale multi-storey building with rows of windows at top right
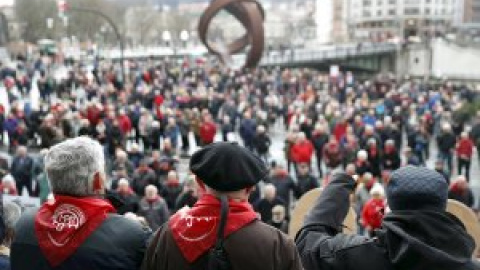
(385,19)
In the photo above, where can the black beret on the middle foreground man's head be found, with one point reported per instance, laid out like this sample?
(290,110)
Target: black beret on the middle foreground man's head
(227,167)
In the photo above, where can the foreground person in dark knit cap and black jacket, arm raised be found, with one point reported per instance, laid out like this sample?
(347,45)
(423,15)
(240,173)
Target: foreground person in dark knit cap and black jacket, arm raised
(417,234)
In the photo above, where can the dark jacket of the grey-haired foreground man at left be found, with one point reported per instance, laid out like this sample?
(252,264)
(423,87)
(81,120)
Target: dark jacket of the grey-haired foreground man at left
(117,244)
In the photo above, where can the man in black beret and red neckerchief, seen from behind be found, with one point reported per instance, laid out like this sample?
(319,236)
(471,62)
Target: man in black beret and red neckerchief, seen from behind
(221,231)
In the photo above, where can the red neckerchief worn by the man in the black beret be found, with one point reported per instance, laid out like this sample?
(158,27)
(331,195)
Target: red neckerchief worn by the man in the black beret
(195,229)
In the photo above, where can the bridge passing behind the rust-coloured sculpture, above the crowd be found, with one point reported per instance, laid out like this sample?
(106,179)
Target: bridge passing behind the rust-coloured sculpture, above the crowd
(366,57)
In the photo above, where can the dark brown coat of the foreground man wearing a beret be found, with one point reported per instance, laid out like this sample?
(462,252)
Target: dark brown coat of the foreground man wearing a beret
(257,246)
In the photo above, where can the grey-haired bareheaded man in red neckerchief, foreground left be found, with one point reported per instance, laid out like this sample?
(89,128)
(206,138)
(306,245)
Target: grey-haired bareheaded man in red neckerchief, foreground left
(79,229)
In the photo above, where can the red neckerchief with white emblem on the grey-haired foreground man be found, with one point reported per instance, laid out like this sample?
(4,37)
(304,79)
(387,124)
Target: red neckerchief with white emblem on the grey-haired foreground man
(63,226)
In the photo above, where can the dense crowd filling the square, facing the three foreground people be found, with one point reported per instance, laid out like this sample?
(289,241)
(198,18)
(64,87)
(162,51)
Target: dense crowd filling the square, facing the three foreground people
(150,122)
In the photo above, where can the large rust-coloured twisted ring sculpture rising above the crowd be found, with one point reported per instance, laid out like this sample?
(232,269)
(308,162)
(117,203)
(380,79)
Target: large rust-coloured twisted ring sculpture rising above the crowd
(251,15)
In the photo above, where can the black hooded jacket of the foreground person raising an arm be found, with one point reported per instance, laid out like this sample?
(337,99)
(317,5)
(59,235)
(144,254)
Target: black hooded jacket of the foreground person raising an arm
(413,240)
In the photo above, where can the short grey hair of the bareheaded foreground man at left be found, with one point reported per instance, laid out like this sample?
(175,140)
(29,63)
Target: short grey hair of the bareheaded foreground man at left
(72,164)
